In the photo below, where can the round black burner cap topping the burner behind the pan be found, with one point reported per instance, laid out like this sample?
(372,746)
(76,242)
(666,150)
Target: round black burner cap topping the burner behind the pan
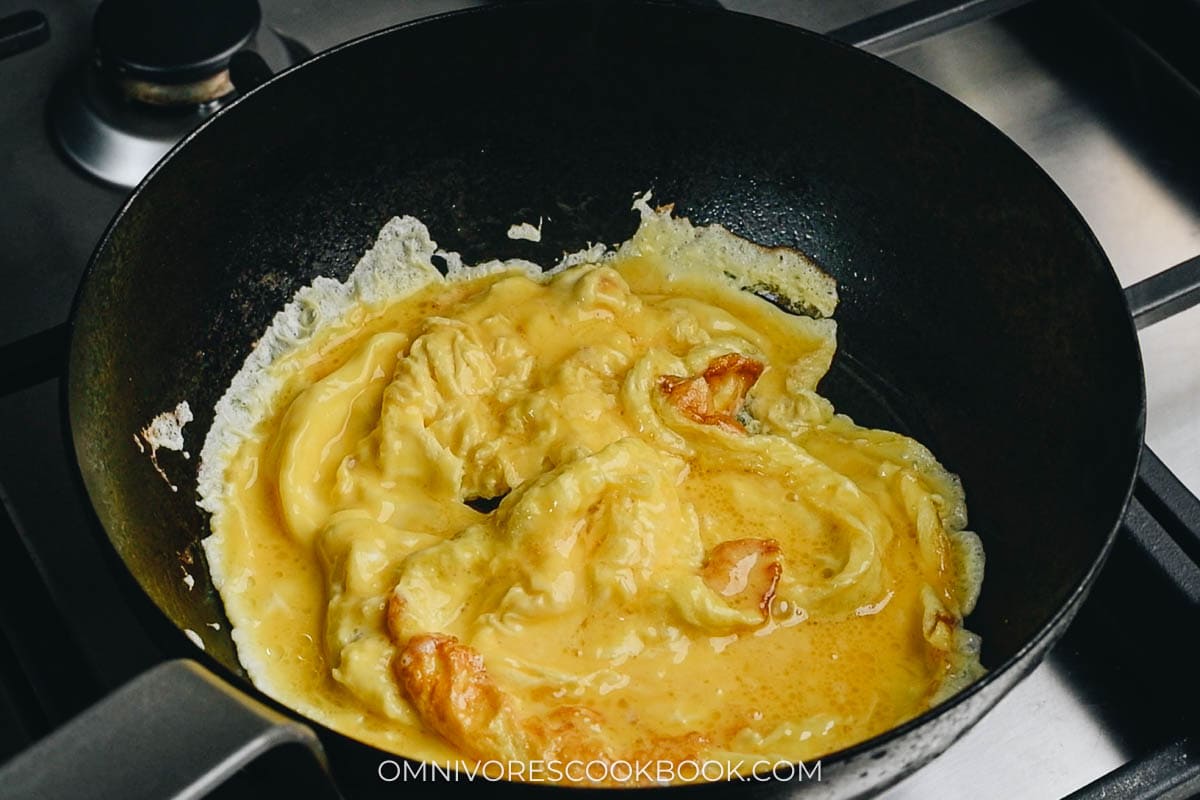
(176,43)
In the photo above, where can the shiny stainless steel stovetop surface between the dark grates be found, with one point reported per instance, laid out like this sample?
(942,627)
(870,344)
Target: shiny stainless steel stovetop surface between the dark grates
(1048,75)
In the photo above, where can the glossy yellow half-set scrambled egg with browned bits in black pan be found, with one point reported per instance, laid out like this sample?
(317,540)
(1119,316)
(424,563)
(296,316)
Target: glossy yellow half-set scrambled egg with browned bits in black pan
(599,513)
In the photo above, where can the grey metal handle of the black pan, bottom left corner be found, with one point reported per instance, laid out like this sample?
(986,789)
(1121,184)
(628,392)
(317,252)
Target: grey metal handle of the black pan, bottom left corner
(176,732)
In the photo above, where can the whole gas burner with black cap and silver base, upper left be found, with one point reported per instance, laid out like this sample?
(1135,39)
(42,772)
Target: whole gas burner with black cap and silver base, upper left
(160,70)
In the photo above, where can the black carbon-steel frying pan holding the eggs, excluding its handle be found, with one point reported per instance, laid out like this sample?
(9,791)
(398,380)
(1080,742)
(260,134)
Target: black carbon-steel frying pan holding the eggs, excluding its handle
(979,314)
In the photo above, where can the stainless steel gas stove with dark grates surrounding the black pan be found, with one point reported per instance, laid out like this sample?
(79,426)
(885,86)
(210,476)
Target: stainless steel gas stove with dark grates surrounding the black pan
(1103,94)
